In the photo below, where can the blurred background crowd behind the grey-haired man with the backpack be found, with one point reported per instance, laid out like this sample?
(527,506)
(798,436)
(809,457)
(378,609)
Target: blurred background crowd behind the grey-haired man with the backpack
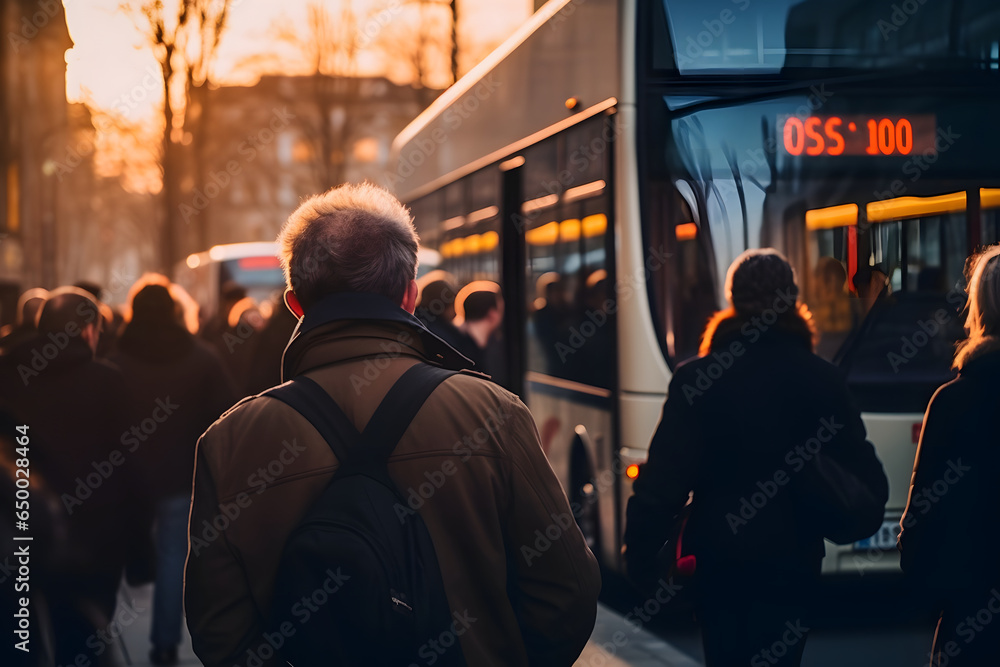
(114,401)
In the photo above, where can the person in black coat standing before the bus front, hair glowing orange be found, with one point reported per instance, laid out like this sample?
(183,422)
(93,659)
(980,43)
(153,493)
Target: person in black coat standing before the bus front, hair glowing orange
(741,429)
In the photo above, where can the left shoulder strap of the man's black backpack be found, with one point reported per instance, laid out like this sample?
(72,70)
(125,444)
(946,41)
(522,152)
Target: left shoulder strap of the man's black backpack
(311,401)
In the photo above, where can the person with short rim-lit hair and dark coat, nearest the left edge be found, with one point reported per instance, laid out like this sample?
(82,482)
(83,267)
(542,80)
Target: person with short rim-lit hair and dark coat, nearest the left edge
(72,406)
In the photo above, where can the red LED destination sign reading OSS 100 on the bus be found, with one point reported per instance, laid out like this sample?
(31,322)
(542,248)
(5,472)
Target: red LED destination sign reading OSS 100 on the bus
(858,135)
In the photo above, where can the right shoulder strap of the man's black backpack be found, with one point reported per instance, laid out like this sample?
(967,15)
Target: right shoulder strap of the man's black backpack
(400,406)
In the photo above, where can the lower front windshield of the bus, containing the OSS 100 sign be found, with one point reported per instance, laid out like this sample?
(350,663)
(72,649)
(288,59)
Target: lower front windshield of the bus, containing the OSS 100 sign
(876,196)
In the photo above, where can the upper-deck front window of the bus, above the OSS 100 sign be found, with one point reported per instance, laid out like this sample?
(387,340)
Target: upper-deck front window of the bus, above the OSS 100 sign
(760,36)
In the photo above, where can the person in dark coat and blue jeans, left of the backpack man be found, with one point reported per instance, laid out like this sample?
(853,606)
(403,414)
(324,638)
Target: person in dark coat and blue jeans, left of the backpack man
(178,387)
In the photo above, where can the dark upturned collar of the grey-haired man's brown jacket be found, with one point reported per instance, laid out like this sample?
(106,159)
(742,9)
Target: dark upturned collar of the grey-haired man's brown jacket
(353,325)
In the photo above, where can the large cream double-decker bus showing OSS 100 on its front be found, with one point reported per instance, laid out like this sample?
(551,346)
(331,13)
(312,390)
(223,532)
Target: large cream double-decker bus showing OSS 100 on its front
(607,163)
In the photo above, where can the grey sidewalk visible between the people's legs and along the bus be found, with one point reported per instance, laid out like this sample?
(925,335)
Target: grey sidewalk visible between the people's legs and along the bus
(614,643)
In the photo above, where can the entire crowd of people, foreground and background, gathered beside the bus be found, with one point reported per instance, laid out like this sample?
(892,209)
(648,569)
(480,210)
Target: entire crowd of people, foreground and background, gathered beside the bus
(117,416)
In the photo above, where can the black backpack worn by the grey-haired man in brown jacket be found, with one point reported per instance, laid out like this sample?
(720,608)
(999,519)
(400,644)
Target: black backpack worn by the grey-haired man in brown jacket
(359,581)
